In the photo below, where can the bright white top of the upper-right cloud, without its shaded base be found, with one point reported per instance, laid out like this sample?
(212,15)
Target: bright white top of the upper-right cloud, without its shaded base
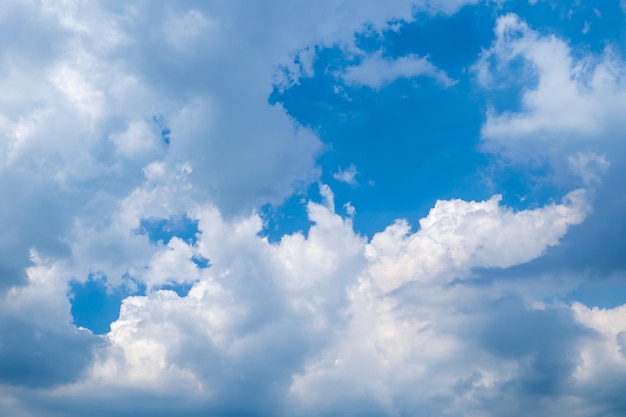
(566,99)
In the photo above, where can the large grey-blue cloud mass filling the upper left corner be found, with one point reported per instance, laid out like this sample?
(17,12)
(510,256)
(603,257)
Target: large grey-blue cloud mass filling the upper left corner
(89,90)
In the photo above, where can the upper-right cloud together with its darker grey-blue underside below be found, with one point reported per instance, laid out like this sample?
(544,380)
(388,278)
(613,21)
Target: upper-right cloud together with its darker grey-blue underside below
(568,117)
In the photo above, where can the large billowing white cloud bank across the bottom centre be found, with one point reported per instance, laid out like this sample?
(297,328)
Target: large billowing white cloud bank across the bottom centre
(315,322)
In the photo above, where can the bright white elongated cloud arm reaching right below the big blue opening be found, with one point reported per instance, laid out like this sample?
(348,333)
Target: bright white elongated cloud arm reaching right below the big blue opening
(457,236)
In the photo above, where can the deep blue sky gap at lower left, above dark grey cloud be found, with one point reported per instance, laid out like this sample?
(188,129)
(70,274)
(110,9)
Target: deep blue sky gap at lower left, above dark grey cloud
(95,304)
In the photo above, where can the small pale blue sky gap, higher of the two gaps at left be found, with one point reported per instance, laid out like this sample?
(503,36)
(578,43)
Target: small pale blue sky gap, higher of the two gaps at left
(164,229)
